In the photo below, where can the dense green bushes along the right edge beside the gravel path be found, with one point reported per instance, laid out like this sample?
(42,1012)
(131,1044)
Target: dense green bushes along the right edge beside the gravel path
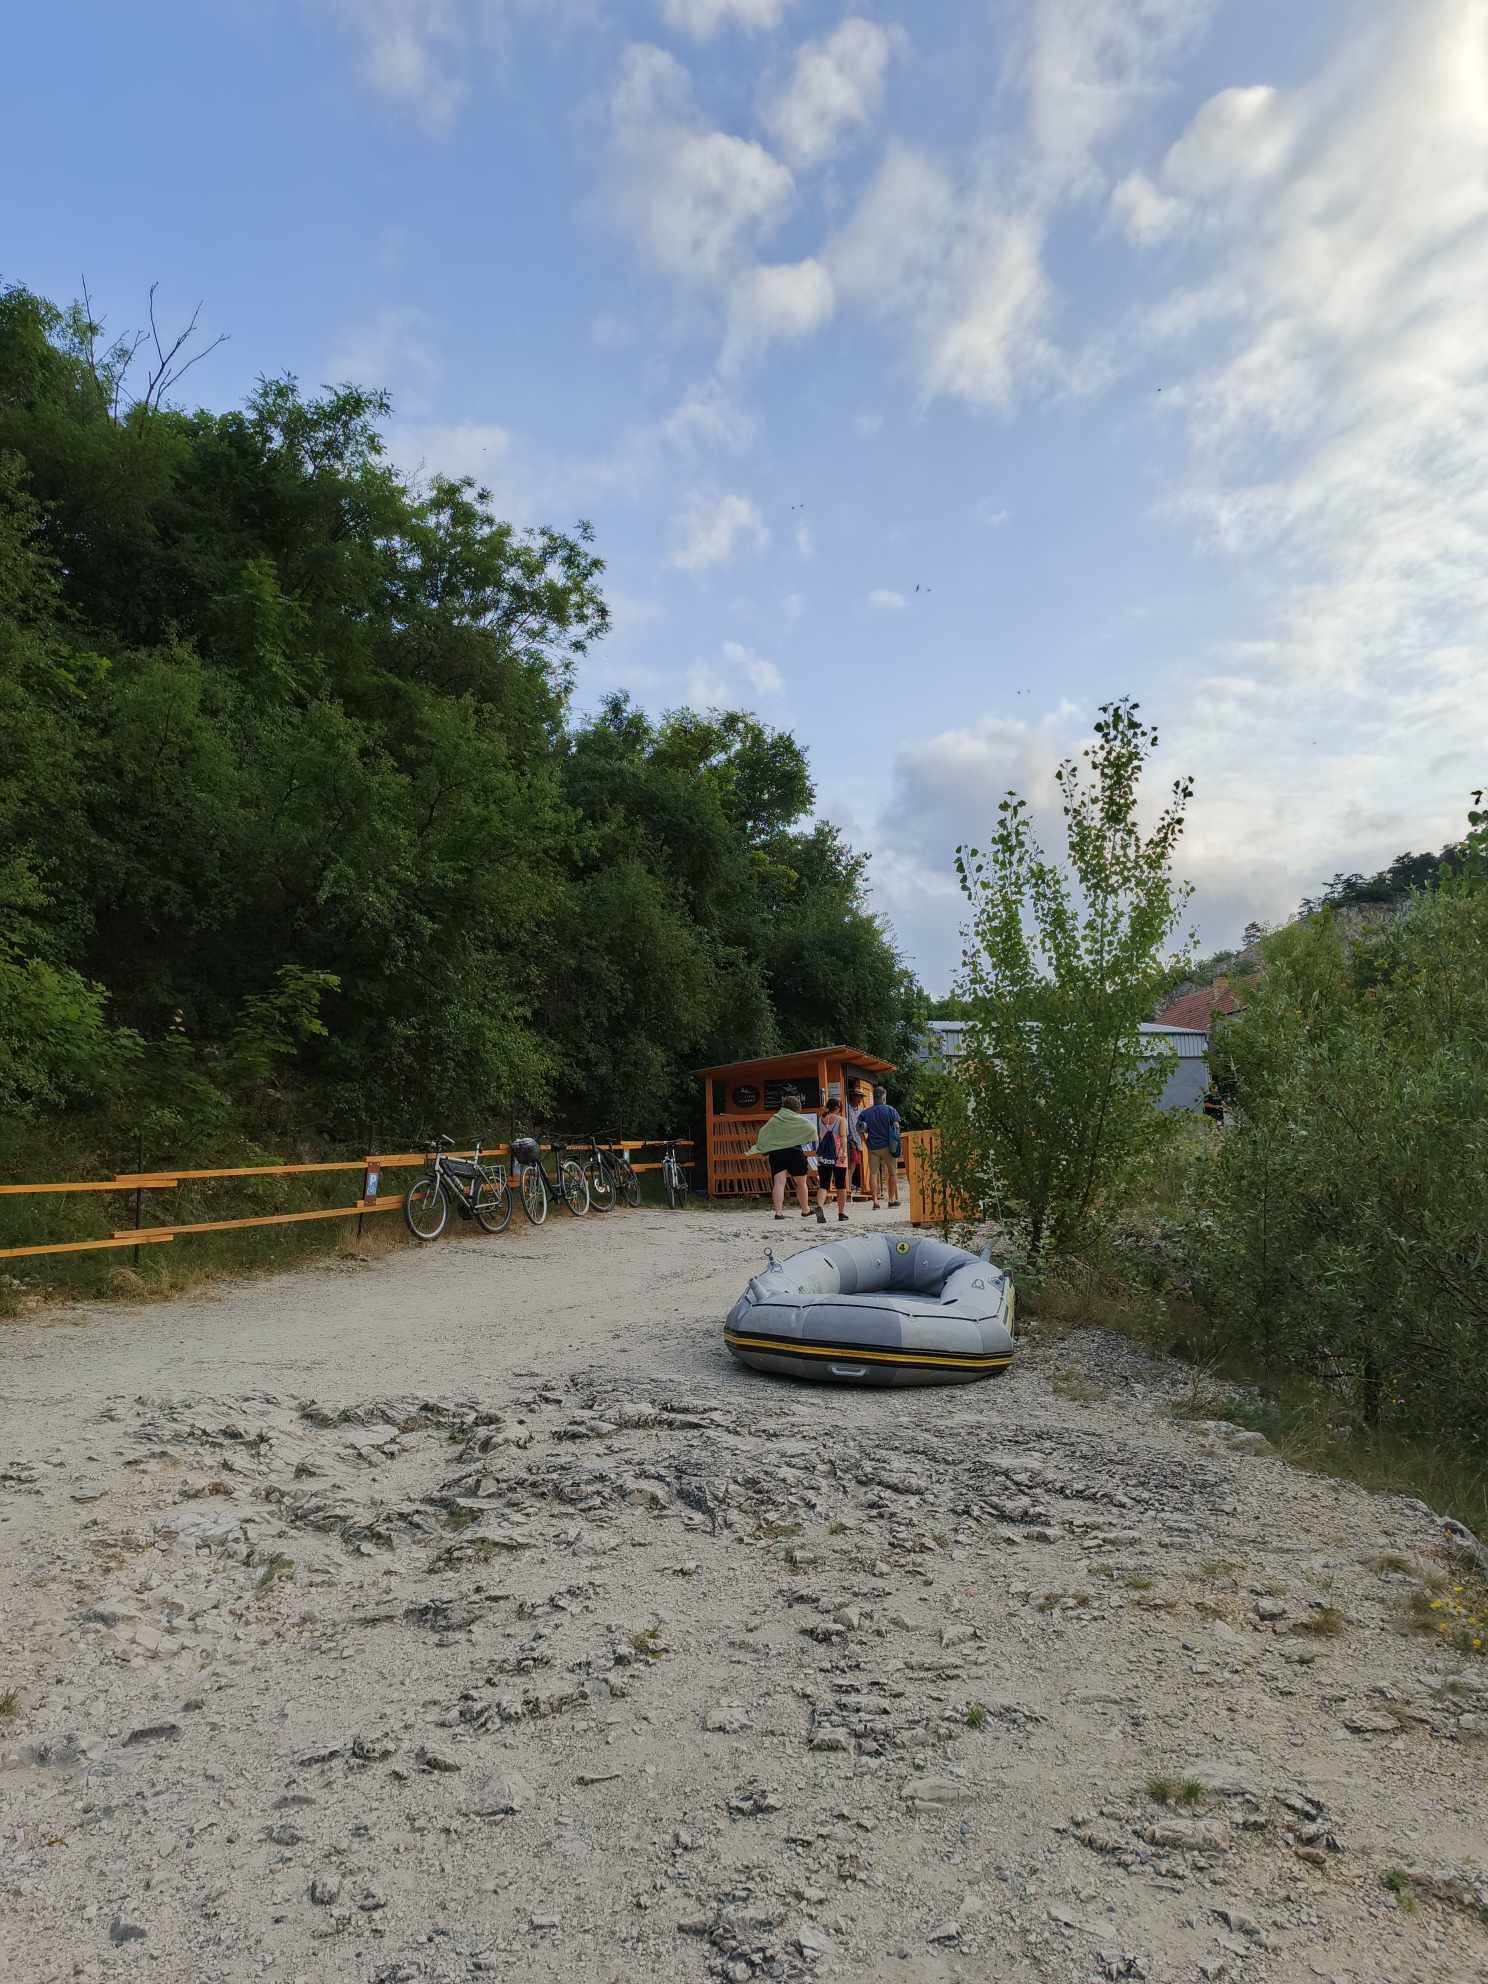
(1344,1231)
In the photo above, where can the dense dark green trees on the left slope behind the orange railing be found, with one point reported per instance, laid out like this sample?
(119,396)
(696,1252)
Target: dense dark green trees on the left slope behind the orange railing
(301,840)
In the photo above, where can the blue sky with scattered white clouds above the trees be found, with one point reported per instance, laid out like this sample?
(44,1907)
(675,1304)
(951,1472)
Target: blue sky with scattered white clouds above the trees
(931,376)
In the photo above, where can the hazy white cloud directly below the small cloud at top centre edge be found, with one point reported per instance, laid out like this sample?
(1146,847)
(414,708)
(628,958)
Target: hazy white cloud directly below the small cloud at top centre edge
(695,199)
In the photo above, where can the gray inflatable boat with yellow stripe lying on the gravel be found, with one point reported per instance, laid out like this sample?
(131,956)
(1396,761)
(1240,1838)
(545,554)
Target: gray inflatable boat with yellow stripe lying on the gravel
(878,1310)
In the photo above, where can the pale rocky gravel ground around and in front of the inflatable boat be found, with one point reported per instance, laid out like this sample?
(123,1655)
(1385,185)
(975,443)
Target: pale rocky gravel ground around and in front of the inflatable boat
(473,1616)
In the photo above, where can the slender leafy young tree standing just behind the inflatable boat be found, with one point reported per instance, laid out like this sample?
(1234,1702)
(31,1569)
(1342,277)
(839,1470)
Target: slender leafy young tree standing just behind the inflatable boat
(1054,1098)
